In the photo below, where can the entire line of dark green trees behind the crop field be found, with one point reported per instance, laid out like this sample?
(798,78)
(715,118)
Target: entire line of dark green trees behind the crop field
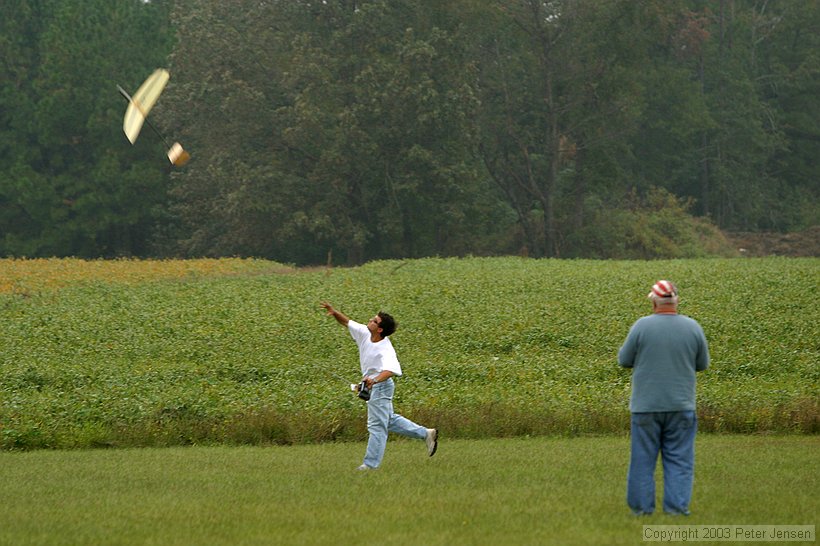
(350,130)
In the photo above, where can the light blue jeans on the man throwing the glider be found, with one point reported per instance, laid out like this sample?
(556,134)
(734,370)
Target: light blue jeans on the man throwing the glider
(381,419)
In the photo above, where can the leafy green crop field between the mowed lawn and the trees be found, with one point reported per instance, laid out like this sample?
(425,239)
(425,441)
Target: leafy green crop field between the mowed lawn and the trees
(159,353)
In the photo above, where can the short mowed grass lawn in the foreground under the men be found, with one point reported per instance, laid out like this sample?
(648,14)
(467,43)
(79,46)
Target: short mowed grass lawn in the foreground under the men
(545,490)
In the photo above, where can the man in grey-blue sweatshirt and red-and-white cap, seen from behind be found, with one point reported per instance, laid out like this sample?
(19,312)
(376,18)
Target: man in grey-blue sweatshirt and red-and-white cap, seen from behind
(664,350)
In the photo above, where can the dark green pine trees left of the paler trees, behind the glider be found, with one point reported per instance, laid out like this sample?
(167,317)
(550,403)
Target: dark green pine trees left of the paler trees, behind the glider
(70,184)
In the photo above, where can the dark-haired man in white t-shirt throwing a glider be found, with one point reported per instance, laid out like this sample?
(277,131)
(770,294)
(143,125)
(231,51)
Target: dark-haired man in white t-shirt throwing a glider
(379,364)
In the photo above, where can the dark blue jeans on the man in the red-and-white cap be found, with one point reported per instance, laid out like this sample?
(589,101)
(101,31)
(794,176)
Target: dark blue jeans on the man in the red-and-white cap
(673,435)
